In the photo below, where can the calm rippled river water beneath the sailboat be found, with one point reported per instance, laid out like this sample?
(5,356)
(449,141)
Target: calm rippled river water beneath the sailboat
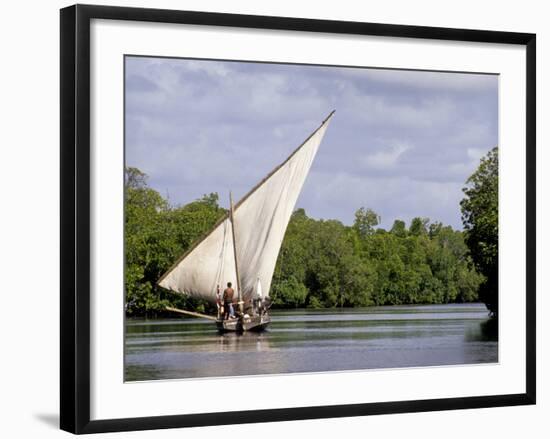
(311,341)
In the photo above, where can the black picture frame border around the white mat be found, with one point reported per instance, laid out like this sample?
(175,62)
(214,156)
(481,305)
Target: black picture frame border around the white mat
(75,217)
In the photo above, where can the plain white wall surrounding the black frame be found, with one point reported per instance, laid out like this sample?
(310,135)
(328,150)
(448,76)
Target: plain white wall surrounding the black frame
(29,246)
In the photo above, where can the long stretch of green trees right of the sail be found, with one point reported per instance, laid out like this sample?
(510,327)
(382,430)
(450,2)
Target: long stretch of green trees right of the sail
(360,266)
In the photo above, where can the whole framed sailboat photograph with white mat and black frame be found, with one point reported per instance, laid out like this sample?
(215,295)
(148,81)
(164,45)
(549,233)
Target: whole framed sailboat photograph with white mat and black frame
(275,218)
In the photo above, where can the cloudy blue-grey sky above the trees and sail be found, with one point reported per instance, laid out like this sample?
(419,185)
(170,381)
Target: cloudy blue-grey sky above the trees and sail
(401,142)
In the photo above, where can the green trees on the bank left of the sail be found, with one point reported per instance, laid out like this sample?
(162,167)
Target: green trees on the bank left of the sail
(156,234)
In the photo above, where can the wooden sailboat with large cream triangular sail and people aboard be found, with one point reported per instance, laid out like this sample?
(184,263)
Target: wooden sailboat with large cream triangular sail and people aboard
(243,246)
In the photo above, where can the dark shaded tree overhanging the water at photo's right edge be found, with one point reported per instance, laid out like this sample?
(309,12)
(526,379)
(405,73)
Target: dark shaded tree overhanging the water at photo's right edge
(480,218)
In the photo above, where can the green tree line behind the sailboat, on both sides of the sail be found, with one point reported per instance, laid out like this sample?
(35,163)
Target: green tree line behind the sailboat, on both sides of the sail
(322,263)
